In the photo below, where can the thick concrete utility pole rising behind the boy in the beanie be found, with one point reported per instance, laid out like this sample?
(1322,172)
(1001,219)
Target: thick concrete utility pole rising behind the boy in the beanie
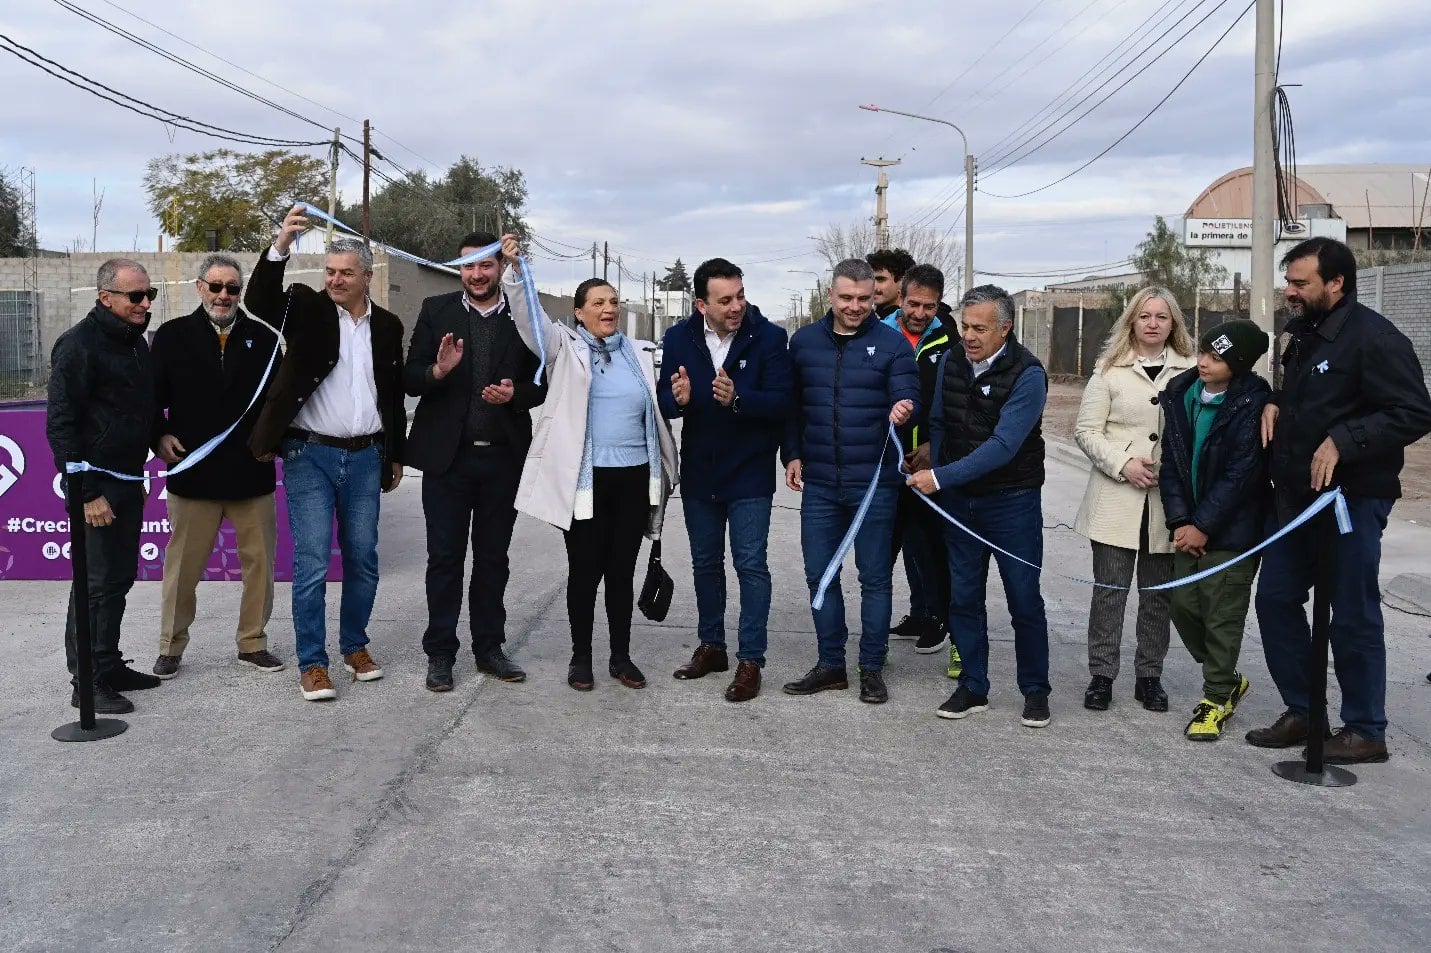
(1264,178)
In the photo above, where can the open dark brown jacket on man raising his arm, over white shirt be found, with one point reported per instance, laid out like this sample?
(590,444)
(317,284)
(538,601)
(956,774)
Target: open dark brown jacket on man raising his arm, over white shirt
(310,324)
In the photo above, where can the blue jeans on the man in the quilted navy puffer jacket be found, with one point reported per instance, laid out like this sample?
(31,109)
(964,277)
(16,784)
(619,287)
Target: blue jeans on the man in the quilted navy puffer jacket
(825,517)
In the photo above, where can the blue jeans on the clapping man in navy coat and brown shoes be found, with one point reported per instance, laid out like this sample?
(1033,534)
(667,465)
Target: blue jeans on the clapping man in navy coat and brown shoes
(749,522)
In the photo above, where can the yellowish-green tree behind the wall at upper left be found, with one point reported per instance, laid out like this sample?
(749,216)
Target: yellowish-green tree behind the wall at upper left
(241,195)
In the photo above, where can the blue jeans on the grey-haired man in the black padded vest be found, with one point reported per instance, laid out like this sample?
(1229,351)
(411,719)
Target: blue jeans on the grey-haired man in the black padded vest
(1012,520)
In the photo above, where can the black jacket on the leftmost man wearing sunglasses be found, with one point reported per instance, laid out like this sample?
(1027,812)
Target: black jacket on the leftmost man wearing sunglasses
(102,397)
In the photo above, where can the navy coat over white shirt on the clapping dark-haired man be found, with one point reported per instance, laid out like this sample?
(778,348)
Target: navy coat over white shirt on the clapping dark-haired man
(729,453)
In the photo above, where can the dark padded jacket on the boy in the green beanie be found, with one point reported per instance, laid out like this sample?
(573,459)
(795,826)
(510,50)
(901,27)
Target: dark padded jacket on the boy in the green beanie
(1233,473)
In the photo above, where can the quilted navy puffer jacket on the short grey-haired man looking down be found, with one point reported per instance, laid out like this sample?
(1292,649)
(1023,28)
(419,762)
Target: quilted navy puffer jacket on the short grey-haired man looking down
(844,394)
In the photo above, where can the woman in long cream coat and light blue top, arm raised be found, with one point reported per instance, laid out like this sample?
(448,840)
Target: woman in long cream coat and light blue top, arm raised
(602,464)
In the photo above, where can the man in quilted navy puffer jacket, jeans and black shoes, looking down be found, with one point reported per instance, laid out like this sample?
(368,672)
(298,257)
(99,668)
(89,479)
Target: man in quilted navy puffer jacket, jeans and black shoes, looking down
(854,377)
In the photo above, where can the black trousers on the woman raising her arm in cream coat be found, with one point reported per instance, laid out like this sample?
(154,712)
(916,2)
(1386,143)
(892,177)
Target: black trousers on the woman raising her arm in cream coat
(605,549)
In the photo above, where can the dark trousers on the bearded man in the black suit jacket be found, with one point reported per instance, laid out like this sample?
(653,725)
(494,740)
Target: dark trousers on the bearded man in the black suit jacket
(474,499)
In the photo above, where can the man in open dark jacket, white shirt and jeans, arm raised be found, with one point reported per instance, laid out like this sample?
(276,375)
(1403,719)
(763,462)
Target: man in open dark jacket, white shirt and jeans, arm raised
(336,414)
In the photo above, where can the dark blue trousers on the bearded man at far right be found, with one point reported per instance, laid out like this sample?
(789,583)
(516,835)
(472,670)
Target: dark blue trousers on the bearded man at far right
(1357,636)
